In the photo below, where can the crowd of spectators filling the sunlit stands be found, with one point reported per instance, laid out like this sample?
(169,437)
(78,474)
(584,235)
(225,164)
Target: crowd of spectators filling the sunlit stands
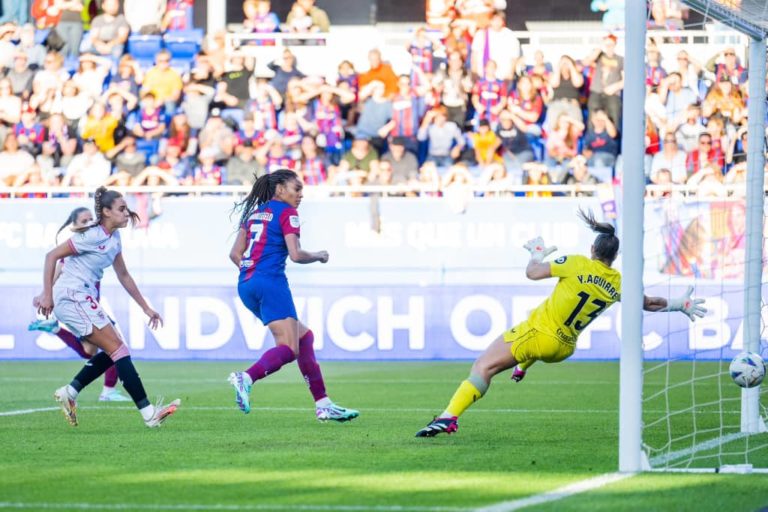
(77,108)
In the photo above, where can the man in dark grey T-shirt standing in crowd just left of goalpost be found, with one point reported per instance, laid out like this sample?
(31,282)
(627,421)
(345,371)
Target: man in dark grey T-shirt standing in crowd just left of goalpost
(608,81)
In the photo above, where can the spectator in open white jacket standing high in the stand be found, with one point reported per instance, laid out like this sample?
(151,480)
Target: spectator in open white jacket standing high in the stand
(497,43)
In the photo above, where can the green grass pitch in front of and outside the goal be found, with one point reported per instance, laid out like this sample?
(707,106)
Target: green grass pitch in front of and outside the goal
(559,426)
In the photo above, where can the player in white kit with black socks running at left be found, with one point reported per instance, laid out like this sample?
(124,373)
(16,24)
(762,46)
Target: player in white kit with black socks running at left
(73,300)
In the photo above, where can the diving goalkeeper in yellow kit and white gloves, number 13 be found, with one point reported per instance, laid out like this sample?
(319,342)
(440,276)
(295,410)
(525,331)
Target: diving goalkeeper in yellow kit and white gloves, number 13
(586,288)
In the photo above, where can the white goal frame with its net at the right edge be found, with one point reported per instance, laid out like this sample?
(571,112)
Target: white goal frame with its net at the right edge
(711,442)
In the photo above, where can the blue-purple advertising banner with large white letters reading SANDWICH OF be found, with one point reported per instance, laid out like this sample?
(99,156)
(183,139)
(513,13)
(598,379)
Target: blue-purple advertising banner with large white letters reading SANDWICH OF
(372,323)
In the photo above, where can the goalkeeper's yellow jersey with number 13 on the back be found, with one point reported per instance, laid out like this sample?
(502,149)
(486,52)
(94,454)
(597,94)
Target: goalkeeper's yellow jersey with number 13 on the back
(586,288)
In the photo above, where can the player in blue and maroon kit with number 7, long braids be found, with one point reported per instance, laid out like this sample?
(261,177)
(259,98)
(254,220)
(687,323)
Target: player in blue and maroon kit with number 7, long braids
(269,233)
